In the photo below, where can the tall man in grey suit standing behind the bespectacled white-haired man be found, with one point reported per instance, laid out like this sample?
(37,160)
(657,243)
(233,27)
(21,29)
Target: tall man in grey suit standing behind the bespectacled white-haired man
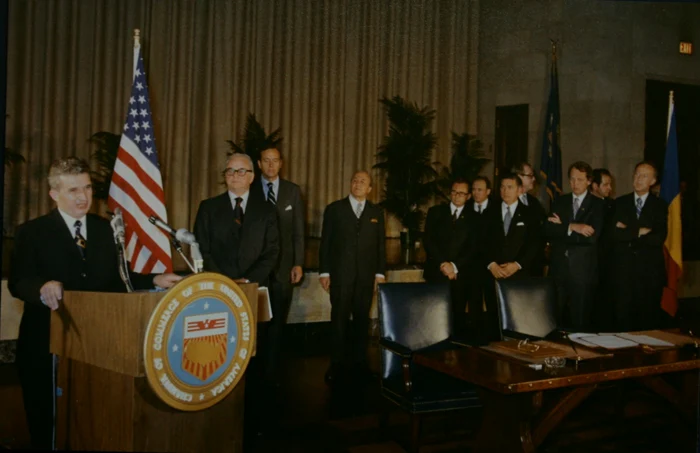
(286,196)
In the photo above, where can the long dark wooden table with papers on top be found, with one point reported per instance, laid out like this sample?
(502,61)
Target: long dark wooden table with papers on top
(518,417)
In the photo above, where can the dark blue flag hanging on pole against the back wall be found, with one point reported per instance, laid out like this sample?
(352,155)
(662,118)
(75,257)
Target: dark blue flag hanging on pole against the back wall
(550,165)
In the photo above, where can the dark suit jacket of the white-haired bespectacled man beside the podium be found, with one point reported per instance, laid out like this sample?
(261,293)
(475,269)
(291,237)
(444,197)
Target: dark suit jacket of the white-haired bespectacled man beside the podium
(238,251)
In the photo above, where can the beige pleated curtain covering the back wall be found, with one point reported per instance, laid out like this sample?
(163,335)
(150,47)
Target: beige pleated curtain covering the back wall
(314,68)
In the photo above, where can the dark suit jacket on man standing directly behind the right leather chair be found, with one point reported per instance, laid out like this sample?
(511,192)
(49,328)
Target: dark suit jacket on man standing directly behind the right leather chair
(521,243)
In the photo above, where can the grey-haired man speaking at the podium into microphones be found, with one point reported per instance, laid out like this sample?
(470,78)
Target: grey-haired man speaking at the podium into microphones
(65,250)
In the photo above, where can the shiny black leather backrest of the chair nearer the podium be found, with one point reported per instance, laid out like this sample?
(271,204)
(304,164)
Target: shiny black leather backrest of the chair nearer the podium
(414,315)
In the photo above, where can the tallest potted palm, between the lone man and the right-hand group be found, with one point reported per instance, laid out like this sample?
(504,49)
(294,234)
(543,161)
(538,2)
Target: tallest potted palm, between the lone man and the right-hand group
(404,159)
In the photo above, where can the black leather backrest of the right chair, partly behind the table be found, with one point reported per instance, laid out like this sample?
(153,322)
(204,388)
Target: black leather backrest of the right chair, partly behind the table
(527,306)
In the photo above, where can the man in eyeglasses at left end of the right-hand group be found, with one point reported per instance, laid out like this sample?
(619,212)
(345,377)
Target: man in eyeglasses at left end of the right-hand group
(450,243)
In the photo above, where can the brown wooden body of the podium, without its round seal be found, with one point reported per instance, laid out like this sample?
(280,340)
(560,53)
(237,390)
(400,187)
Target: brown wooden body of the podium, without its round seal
(104,400)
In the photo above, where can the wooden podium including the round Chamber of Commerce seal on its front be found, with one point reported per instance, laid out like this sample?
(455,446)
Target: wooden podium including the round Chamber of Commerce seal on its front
(105,400)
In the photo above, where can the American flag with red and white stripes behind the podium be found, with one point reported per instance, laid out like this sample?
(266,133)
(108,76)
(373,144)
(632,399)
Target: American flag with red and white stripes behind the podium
(137,185)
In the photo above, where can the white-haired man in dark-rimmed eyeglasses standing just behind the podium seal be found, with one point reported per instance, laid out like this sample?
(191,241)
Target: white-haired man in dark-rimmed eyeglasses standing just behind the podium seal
(237,233)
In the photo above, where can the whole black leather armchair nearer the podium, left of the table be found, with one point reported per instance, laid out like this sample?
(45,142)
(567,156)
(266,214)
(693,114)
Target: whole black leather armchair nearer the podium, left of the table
(416,317)
